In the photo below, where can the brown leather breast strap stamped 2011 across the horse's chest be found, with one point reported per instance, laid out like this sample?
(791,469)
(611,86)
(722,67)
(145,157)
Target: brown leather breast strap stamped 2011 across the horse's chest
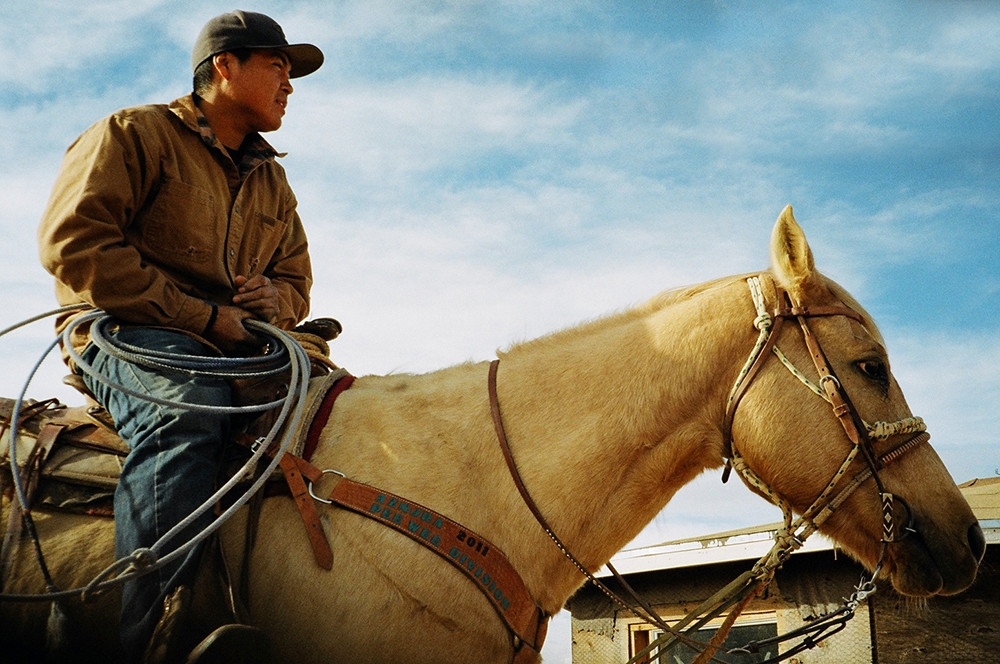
(476,557)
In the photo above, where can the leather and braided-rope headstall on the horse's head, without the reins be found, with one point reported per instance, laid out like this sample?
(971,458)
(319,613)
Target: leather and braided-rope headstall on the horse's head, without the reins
(860,433)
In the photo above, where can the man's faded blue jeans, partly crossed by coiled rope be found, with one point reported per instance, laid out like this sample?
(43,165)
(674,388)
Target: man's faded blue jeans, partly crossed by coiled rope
(171,469)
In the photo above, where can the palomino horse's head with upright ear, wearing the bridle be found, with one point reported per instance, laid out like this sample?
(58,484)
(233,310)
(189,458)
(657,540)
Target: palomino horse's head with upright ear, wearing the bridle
(800,448)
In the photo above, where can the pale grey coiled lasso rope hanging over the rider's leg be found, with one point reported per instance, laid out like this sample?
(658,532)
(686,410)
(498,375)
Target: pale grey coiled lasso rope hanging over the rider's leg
(288,356)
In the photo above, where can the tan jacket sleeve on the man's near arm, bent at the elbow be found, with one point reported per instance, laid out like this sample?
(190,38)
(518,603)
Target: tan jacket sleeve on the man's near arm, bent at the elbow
(106,176)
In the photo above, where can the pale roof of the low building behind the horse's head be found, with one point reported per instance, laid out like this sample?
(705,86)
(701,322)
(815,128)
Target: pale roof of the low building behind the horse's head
(752,543)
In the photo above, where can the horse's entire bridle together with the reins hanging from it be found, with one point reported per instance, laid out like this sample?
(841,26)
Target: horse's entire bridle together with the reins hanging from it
(792,535)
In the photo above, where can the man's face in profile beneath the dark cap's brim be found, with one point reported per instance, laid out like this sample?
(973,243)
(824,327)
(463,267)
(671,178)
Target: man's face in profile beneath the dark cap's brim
(259,89)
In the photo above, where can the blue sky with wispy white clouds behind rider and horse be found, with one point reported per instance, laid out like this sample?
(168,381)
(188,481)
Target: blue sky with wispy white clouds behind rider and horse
(472,174)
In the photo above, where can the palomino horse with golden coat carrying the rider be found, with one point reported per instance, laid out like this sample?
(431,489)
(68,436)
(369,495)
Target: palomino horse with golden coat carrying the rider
(605,422)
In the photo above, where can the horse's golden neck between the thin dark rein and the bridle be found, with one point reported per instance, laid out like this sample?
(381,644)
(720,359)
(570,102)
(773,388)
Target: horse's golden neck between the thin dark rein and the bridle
(606,426)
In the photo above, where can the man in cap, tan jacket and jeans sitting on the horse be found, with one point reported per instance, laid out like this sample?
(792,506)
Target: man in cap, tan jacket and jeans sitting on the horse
(177,220)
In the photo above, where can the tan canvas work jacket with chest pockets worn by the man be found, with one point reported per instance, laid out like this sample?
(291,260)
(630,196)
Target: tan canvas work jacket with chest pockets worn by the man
(151,221)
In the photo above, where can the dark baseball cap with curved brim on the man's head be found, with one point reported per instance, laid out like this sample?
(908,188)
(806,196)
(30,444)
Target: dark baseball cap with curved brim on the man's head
(240,29)
